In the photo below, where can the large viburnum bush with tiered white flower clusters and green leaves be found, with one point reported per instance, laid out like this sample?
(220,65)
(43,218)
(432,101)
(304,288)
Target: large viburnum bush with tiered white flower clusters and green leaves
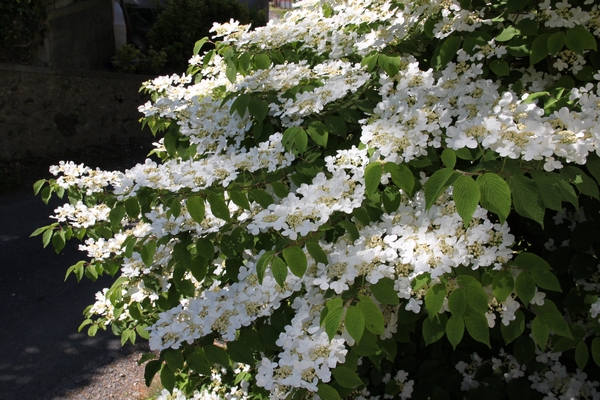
(366,199)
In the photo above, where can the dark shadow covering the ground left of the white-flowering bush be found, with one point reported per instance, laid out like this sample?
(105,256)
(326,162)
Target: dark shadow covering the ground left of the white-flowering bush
(42,354)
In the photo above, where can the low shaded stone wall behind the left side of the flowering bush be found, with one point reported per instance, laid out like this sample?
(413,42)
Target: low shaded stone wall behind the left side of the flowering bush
(45,111)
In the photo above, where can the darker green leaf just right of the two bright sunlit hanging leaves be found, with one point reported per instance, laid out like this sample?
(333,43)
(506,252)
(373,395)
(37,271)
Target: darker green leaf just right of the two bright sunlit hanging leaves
(527,199)
